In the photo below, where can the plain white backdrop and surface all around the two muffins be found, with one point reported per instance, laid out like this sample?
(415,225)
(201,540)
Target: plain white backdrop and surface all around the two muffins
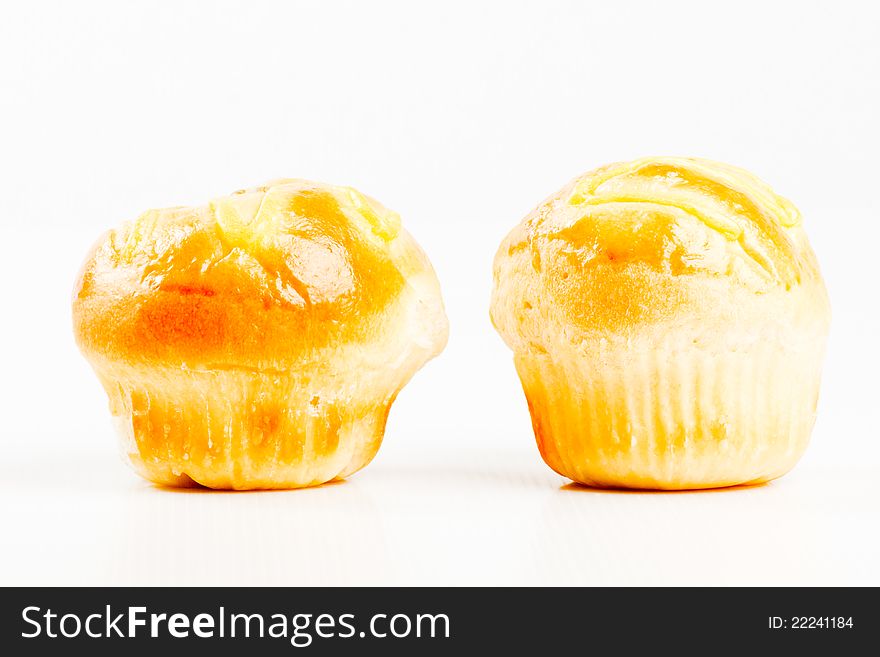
(462,117)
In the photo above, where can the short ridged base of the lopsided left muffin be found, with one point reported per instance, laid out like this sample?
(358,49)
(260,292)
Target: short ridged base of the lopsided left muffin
(239,429)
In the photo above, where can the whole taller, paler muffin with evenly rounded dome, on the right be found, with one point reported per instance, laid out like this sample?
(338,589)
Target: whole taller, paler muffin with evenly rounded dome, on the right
(668,321)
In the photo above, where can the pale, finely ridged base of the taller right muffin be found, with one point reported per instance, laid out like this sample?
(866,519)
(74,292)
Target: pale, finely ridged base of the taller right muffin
(670,414)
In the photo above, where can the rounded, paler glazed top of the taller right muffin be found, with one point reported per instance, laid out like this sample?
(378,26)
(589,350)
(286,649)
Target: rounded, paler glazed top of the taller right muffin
(659,240)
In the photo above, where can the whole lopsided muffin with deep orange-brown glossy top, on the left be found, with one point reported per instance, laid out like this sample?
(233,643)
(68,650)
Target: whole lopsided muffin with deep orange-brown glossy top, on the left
(257,341)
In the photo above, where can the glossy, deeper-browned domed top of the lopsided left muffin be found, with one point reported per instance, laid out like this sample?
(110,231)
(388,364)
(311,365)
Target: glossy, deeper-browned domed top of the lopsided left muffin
(256,279)
